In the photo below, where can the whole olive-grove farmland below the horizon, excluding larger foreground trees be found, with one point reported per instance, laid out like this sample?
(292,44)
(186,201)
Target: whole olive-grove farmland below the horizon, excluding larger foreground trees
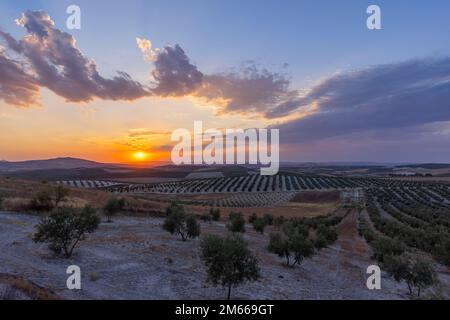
(133,257)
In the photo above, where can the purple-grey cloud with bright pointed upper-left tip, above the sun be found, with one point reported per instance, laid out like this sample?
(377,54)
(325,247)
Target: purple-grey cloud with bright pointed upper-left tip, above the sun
(249,90)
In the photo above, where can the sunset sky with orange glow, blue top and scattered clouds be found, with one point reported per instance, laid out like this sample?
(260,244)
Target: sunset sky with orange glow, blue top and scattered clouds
(137,70)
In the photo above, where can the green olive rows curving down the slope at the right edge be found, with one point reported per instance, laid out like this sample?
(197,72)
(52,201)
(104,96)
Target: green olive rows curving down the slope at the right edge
(417,217)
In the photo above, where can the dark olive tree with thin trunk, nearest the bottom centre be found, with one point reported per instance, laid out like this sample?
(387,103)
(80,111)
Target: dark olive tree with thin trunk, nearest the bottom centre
(229,261)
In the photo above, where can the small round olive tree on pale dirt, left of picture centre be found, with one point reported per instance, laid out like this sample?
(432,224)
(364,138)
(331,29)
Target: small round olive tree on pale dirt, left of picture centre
(178,222)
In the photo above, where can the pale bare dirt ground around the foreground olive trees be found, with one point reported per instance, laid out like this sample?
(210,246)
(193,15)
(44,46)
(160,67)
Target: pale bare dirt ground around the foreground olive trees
(128,259)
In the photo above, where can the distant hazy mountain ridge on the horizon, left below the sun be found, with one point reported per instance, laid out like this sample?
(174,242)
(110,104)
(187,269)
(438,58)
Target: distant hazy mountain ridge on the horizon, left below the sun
(56,163)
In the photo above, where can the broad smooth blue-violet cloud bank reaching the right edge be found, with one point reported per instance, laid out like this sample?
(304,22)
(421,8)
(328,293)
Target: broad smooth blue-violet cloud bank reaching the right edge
(407,94)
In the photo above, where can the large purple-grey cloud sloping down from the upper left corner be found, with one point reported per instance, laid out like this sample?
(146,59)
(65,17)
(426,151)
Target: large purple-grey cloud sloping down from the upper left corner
(50,58)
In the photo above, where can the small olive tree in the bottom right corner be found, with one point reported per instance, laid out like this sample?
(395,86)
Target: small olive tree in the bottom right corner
(415,271)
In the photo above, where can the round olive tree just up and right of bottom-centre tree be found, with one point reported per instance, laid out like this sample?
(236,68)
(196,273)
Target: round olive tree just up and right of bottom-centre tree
(292,243)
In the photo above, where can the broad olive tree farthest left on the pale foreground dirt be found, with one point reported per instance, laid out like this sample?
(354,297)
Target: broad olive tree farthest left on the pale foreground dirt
(65,228)
